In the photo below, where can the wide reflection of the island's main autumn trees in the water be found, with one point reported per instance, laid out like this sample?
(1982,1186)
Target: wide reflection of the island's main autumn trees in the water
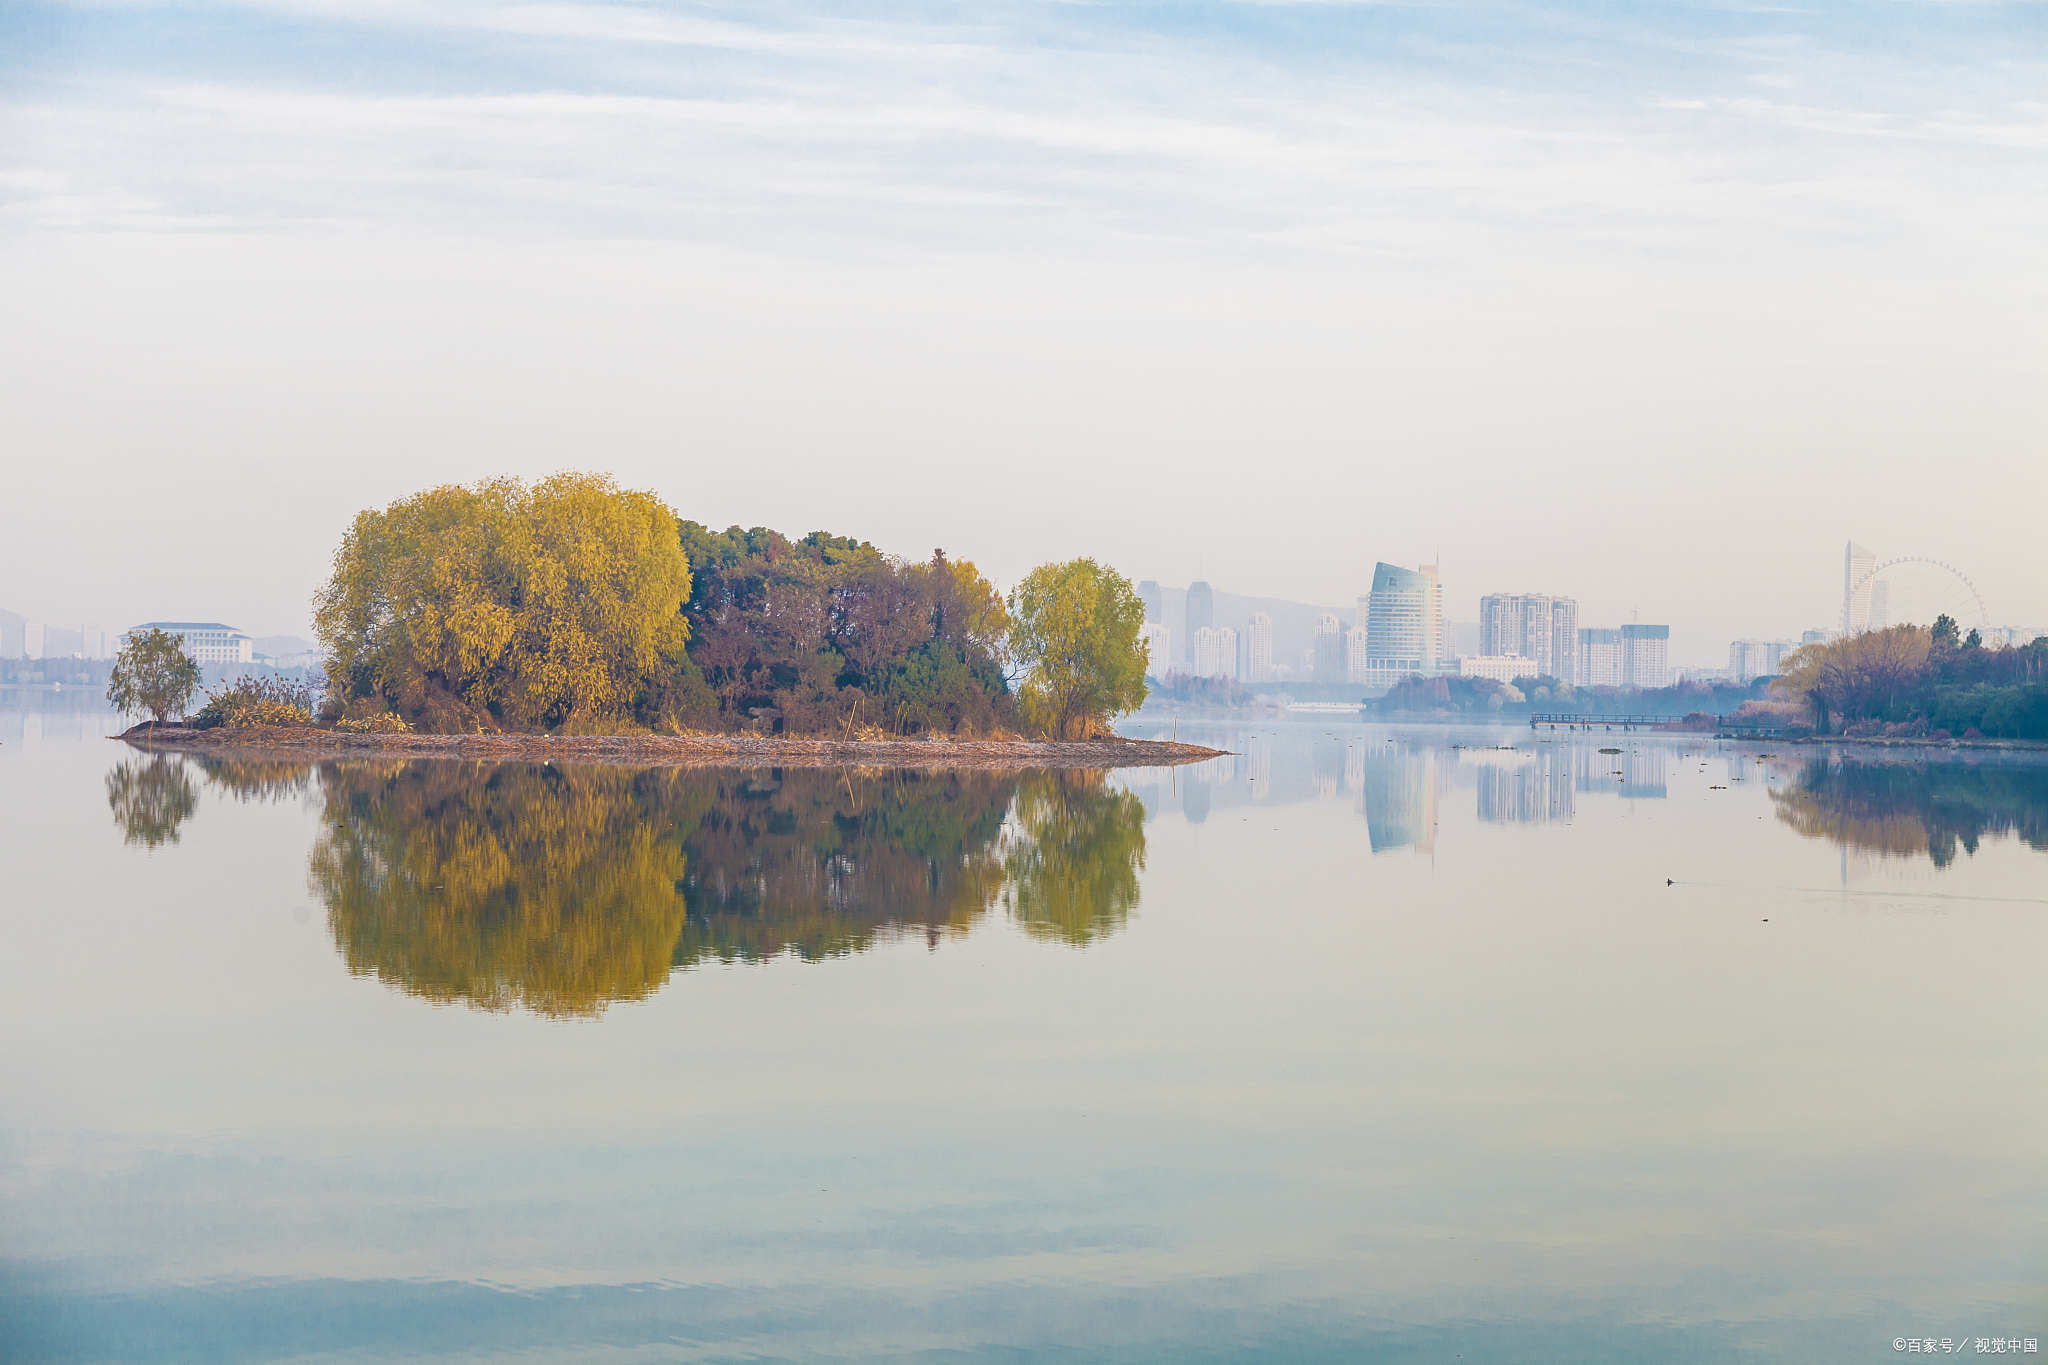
(566,889)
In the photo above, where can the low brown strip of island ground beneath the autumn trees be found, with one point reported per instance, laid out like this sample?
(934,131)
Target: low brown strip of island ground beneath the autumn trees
(681,750)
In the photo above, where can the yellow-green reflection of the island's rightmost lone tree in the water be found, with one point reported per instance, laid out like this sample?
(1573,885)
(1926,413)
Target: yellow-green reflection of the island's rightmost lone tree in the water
(1074,871)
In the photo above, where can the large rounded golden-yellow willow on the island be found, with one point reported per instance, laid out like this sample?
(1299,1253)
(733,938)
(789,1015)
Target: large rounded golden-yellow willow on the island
(507,605)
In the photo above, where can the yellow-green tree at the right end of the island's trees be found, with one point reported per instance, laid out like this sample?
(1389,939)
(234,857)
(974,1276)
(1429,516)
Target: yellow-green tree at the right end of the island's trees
(1074,629)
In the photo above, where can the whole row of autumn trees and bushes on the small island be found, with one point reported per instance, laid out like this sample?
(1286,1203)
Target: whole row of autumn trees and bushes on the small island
(579,607)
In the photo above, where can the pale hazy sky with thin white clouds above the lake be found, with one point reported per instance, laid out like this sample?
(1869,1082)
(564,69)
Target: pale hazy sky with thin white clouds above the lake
(1648,306)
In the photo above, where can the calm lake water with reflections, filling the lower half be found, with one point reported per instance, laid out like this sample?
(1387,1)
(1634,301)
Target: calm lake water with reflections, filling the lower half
(1363,1045)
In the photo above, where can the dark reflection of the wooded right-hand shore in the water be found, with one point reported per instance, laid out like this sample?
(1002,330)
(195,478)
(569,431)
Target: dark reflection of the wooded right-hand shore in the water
(1916,809)
